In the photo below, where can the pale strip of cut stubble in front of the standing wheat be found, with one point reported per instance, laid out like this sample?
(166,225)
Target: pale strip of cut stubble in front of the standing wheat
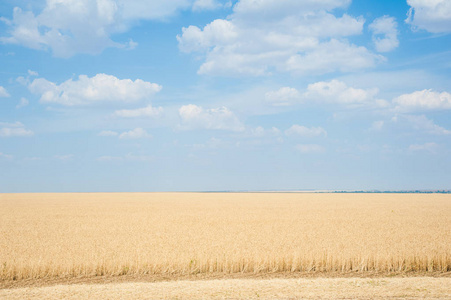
(278,288)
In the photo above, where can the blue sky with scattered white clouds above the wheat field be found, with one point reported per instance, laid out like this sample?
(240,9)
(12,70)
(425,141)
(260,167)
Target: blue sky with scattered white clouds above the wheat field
(205,95)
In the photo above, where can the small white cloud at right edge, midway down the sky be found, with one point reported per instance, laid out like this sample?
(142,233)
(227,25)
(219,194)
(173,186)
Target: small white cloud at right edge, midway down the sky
(423,100)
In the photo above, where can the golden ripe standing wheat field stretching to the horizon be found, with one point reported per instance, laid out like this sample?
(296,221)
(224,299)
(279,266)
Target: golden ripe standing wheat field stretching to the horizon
(179,234)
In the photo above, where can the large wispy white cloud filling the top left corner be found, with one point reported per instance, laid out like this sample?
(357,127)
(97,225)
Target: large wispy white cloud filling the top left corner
(83,26)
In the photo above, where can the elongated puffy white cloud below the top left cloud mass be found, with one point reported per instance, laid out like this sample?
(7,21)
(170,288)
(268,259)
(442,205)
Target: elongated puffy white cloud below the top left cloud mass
(100,88)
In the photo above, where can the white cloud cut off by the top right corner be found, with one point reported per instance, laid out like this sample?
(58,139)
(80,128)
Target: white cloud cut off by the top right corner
(431,15)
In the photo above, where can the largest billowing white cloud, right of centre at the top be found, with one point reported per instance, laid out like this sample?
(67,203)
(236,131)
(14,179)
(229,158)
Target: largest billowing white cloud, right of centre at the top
(258,38)
